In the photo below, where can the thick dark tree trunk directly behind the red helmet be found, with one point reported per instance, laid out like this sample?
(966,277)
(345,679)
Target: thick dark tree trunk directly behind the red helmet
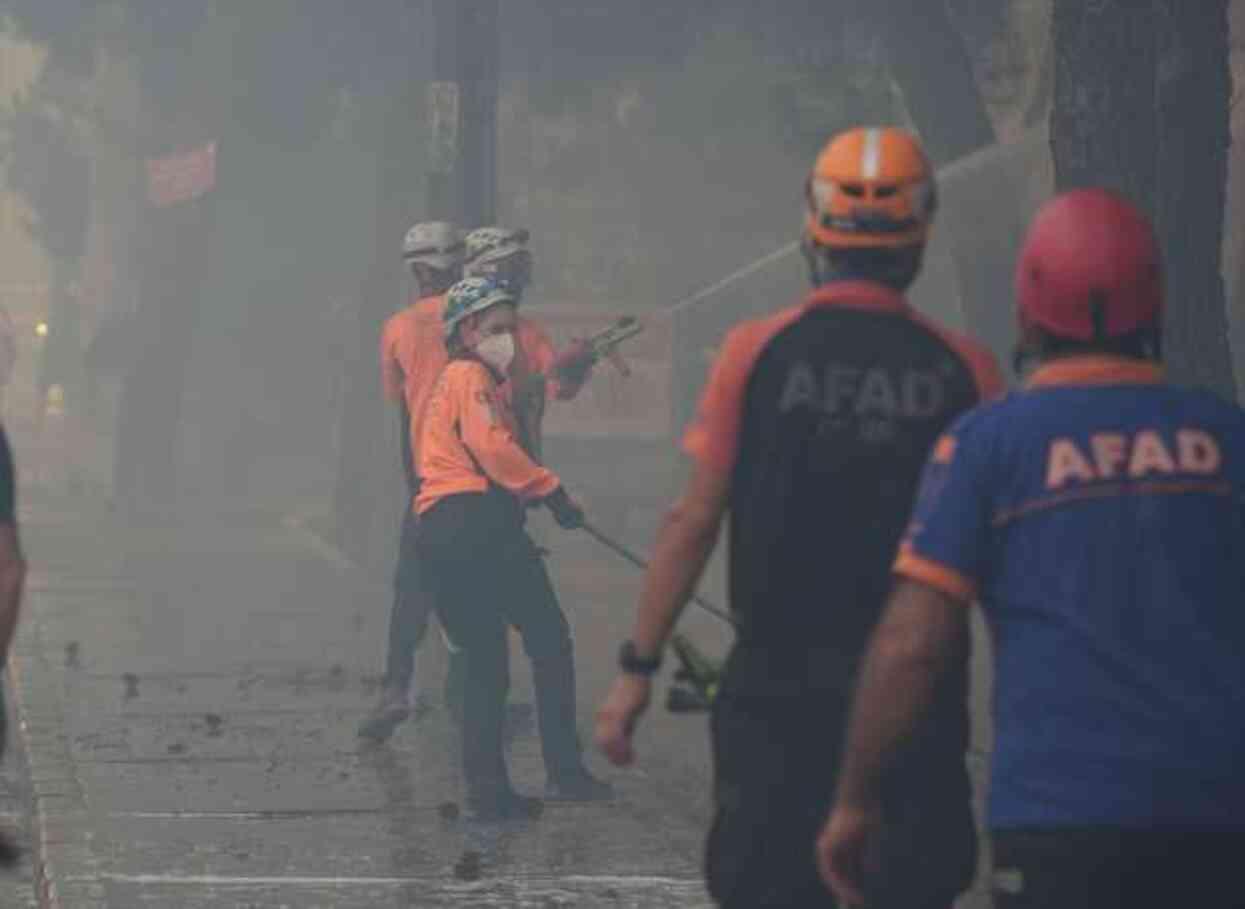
(1141,108)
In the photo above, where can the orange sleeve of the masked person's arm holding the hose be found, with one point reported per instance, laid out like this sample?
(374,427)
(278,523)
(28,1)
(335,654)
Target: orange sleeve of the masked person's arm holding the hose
(492,444)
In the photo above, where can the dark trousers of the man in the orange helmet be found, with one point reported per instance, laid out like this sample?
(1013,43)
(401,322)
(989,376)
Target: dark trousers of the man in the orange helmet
(775,764)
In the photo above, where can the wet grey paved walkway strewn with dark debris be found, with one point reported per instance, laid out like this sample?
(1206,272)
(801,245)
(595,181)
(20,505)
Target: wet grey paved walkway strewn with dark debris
(190,698)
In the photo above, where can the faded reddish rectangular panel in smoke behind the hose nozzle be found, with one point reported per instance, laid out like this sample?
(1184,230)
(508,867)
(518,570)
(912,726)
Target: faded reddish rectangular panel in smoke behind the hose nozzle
(637,407)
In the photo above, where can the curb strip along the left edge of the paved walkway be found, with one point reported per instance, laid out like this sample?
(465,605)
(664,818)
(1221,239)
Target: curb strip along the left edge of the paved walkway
(65,866)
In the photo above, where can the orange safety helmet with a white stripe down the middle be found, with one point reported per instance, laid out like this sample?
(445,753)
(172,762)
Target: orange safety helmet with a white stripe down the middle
(871,189)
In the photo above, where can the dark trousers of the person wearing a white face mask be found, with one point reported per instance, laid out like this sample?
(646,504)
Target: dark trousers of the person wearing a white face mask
(486,575)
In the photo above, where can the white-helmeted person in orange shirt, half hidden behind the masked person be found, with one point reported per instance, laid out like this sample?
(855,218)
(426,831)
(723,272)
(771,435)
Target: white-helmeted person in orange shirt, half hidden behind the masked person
(411,358)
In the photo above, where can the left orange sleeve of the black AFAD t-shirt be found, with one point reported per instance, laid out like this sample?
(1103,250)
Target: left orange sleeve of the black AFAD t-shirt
(714,436)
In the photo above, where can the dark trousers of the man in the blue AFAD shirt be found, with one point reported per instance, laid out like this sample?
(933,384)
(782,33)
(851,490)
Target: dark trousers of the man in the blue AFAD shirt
(1105,869)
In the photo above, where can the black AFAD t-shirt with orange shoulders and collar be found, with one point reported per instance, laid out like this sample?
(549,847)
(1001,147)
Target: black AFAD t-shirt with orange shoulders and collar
(825,417)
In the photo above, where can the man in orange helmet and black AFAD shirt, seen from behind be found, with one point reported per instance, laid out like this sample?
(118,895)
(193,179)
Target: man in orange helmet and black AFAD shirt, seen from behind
(812,434)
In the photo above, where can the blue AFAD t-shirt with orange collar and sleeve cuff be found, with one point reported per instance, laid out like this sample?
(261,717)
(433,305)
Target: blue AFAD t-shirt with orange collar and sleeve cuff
(1100,520)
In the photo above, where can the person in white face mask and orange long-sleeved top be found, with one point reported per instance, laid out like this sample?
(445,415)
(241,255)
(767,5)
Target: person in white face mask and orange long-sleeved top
(480,563)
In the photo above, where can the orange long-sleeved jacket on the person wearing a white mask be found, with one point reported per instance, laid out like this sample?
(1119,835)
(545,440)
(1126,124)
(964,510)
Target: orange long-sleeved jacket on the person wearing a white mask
(467,441)
